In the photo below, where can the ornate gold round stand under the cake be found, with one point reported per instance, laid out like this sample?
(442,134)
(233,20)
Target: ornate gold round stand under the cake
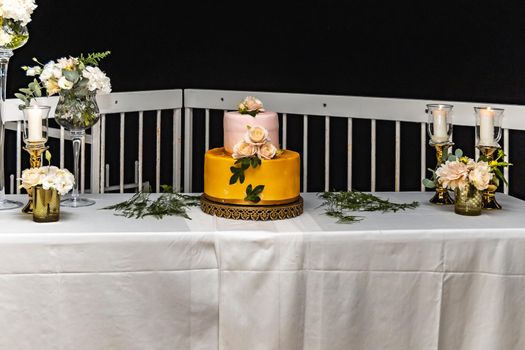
(252,212)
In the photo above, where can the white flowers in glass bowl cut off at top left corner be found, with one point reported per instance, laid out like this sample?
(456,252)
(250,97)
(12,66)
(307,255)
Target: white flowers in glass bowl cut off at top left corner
(14,16)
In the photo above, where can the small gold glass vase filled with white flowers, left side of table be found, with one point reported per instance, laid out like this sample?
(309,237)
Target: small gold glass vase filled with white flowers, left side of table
(47,184)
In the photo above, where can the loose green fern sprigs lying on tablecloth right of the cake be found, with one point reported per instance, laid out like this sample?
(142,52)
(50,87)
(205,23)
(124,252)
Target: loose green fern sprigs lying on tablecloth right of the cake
(339,204)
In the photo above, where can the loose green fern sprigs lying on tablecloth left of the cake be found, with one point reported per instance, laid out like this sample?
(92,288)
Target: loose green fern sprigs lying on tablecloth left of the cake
(169,203)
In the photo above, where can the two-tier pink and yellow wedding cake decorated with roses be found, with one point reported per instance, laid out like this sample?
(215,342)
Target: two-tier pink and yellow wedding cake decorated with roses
(251,169)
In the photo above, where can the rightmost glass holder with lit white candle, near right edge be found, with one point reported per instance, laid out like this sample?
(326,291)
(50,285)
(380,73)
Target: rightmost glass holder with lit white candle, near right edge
(488,126)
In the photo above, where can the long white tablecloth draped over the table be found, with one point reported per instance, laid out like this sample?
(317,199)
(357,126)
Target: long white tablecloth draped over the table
(420,279)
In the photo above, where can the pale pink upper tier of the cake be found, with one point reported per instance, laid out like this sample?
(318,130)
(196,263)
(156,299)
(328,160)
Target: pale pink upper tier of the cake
(235,127)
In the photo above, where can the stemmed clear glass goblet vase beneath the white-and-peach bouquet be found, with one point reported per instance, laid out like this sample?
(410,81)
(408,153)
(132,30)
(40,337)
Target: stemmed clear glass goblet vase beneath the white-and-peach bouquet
(77,111)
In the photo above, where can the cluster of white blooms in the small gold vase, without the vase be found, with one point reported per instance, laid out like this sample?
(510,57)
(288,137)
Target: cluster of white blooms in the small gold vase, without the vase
(49,177)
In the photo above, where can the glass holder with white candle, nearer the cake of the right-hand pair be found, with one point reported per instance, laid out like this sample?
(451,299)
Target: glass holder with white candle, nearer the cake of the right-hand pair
(439,123)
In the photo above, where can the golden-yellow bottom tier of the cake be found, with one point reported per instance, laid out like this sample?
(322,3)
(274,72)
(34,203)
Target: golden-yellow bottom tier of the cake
(280,177)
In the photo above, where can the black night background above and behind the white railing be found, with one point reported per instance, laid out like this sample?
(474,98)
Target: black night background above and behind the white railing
(457,51)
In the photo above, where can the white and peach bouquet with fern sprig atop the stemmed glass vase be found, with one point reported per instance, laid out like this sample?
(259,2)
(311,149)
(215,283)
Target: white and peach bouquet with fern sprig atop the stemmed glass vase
(75,76)
